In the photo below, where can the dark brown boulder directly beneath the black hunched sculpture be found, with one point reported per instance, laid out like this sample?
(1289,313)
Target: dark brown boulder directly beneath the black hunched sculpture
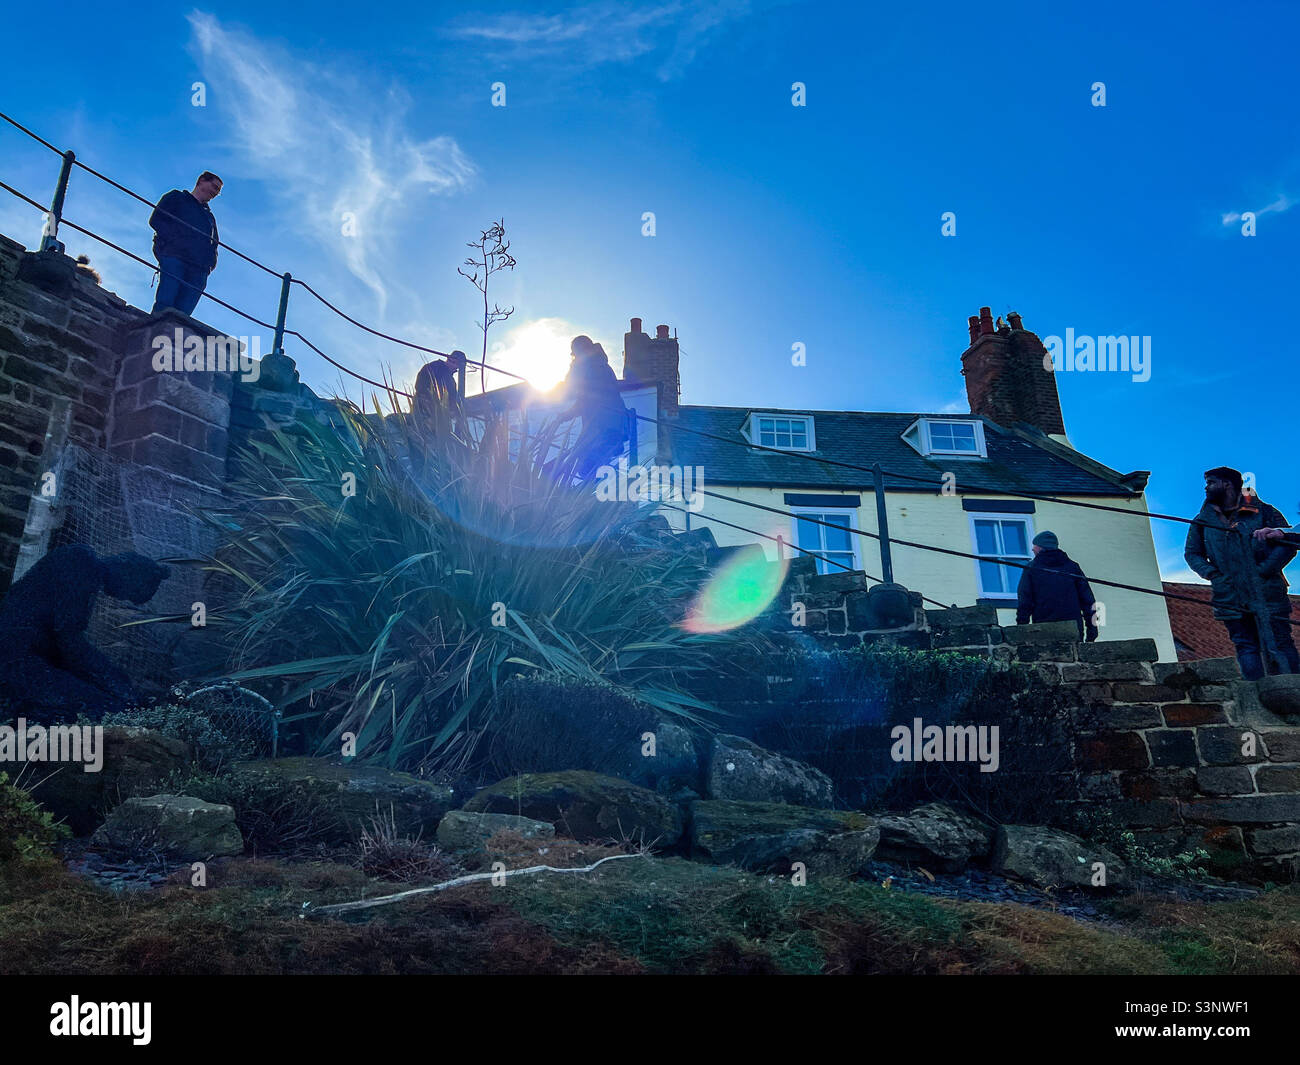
(136,761)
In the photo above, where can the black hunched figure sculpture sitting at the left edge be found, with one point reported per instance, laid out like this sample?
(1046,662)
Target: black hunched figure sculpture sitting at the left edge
(49,670)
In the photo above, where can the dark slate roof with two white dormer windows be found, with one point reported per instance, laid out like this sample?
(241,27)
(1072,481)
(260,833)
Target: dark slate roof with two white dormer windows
(1021,460)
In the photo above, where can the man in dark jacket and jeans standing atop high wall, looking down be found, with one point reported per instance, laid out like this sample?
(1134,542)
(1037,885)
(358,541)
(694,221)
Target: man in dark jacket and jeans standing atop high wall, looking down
(185,244)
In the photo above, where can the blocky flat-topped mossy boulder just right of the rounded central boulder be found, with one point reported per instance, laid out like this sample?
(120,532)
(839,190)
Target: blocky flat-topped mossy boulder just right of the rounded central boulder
(772,837)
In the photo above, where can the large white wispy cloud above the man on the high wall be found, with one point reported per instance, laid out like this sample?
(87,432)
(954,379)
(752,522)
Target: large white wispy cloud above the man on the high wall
(335,154)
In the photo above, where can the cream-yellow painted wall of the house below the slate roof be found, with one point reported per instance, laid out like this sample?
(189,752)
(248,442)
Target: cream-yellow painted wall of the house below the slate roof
(1107,546)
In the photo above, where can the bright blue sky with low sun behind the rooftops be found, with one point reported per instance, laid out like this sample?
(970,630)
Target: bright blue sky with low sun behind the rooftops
(775,226)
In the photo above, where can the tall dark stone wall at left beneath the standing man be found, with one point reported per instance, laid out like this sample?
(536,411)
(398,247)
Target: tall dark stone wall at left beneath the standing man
(98,447)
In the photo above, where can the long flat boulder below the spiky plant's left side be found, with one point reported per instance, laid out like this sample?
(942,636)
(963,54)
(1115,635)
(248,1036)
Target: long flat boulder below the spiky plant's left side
(359,794)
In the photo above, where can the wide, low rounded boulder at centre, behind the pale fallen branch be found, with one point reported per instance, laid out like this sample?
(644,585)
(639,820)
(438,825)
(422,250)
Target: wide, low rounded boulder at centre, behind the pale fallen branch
(584,806)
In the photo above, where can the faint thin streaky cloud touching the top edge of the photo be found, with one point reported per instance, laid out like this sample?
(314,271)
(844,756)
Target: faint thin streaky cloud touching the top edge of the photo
(604,33)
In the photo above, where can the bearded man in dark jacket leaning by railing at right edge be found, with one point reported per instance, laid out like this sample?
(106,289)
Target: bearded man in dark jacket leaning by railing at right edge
(1243,570)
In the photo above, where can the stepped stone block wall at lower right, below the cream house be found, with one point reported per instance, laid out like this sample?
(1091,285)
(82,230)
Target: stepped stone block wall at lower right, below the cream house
(1184,754)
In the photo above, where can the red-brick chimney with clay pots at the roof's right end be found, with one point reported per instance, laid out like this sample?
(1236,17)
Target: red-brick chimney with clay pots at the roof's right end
(1006,376)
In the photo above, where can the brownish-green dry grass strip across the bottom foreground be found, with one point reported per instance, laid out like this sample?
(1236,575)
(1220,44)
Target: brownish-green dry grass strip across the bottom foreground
(660,915)
